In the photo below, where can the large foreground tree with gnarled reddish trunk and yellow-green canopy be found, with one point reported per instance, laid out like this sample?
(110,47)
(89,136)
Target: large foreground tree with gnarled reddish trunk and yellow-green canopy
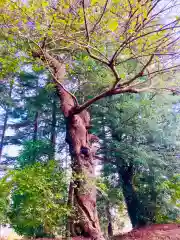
(112,33)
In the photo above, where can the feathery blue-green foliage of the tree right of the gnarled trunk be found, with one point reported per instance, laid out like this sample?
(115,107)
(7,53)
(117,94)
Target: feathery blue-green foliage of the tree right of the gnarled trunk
(139,131)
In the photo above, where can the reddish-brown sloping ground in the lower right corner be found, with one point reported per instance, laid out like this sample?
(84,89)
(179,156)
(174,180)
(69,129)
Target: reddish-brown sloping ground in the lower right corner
(153,232)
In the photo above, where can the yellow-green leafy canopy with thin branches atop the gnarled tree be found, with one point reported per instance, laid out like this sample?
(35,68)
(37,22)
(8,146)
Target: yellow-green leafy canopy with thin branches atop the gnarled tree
(119,30)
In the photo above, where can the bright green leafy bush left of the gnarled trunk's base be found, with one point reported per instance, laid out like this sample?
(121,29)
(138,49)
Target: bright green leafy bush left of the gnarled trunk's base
(37,199)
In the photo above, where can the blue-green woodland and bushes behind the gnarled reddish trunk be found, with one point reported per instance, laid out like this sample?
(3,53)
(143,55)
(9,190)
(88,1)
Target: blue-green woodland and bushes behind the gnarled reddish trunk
(137,166)
